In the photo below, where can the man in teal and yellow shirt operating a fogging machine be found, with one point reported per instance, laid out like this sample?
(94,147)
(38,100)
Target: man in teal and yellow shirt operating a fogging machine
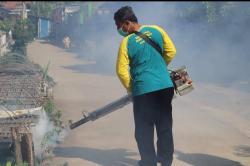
(150,84)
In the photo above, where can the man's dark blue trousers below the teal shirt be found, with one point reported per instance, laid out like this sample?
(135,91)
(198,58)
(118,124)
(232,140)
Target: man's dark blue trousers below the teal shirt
(151,110)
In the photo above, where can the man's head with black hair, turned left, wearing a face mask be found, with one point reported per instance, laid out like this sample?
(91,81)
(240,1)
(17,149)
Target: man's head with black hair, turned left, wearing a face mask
(125,19)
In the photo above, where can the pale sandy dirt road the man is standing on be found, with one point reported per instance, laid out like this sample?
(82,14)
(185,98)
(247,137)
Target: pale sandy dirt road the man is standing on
(211,124)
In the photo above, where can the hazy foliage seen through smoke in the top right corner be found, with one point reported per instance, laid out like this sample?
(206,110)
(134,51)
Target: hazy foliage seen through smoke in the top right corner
(212,12)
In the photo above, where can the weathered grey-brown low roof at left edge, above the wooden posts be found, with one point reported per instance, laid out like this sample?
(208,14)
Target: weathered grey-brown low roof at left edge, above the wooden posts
(20,83)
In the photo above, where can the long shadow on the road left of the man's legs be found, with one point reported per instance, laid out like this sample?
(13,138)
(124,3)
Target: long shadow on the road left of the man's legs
(110,157)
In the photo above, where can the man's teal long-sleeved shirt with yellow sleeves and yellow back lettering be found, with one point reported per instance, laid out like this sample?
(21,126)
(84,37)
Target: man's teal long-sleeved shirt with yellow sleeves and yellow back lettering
(140,68)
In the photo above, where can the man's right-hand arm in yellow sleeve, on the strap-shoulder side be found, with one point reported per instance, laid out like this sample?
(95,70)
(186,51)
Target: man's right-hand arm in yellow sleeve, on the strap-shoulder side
(169,49)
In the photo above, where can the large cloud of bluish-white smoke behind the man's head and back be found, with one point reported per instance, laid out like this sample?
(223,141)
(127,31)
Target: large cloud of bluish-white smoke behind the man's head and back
(218,52)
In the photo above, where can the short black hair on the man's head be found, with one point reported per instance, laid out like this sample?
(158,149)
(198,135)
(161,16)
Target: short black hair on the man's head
(125,13)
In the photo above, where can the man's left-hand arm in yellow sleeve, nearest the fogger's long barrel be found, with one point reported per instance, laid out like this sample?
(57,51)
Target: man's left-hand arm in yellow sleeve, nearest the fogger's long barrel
(122,65)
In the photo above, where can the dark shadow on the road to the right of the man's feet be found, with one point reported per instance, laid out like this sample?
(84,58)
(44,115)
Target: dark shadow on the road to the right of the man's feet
(198,159)
